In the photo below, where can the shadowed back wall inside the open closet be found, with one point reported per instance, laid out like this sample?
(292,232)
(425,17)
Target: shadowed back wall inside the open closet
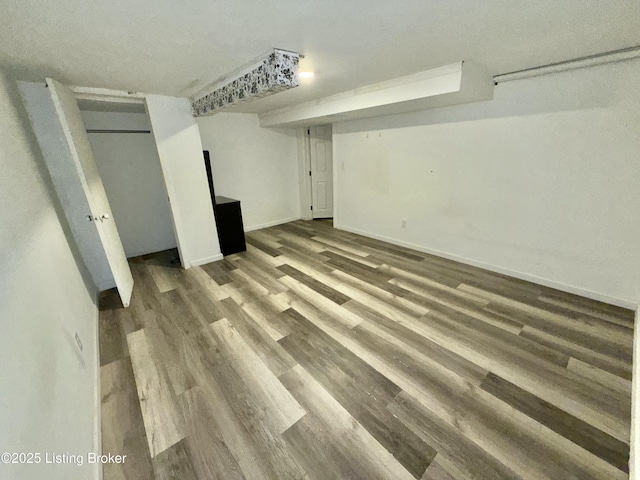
(132,177)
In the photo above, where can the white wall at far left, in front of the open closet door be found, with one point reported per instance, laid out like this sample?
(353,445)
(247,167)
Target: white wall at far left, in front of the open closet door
(48,388)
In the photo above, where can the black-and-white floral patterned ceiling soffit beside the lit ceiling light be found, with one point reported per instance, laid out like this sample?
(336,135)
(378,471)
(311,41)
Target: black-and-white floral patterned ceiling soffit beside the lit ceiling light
(277,72)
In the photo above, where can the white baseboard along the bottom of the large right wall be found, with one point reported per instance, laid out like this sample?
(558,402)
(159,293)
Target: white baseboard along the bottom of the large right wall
(620,302)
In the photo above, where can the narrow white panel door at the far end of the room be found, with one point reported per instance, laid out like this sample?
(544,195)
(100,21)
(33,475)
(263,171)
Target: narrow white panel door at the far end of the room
(321,171)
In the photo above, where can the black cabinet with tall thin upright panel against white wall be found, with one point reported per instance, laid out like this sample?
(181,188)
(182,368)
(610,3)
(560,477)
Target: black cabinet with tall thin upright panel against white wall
(228,216)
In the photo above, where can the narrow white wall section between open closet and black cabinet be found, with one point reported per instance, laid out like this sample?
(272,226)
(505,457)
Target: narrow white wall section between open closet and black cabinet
(180,151)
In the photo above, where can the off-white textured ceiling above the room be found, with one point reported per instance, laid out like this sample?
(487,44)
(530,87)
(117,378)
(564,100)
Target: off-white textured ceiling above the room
(175,47)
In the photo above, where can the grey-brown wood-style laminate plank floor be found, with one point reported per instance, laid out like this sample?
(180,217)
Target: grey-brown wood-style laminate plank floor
(320,354)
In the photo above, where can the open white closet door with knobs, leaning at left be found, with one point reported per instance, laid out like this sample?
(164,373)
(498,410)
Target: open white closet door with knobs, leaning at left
(64,143)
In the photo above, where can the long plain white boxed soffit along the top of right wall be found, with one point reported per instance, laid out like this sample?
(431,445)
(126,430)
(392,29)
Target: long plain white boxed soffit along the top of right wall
(461,82)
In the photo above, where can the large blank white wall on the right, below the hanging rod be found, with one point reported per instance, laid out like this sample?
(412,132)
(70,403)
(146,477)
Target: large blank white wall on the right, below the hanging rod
(541,182)
